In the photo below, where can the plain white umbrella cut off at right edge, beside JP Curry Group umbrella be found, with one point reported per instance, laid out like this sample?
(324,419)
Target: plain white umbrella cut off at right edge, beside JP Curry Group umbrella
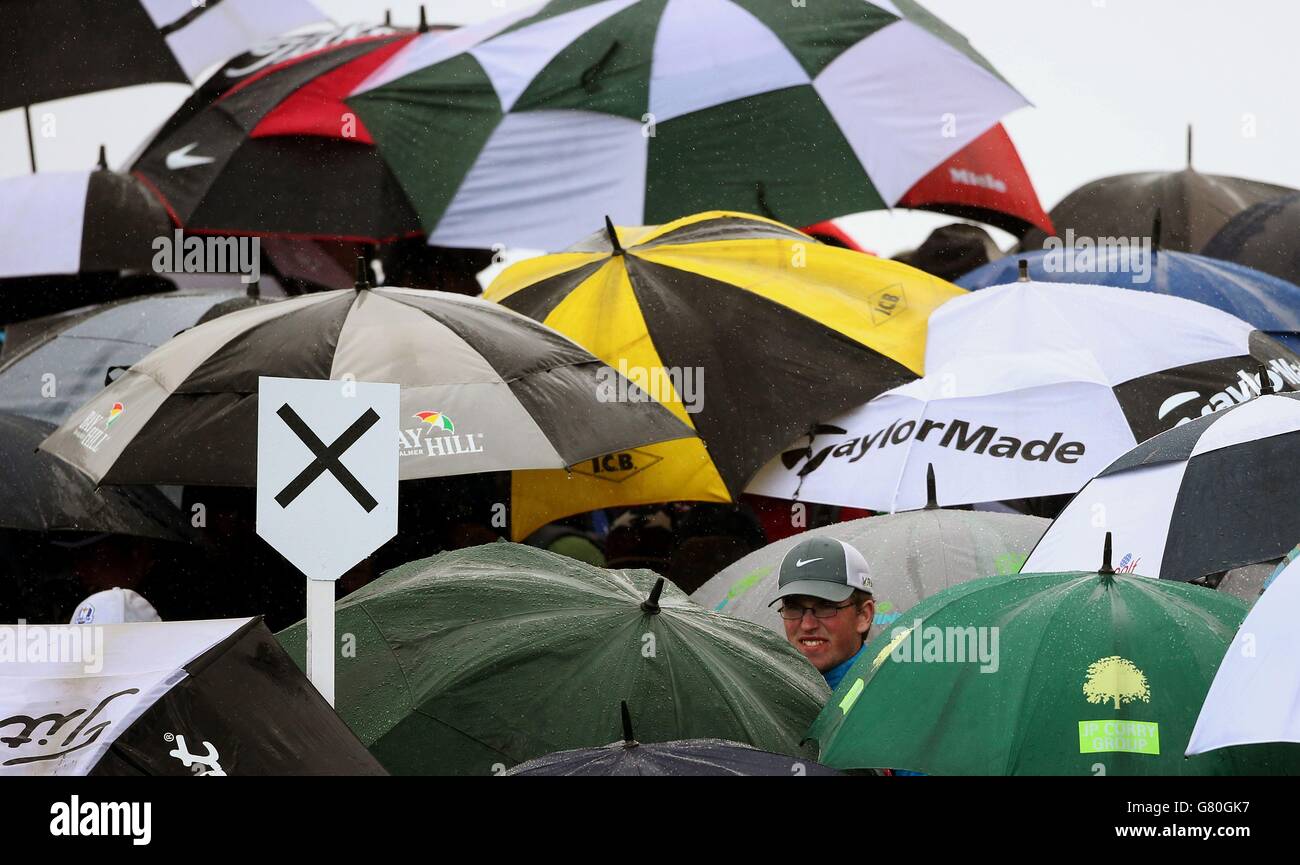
(1255,697)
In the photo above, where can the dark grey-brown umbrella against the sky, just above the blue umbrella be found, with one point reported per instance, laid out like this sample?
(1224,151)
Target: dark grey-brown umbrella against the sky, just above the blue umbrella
(1193,207)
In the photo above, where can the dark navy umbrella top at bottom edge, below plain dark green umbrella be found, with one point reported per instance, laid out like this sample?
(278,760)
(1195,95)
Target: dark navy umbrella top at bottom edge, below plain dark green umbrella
(673,759)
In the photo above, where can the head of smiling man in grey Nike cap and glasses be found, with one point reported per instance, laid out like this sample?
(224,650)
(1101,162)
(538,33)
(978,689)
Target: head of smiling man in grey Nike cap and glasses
(825,589)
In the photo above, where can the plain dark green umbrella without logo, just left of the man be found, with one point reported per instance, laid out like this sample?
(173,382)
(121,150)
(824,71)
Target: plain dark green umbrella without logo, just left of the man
(474,661)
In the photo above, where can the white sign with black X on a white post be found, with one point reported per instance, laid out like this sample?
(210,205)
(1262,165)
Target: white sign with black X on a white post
(327,490)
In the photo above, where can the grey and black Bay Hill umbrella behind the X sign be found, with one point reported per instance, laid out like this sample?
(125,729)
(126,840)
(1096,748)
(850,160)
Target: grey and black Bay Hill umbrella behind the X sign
(483,390)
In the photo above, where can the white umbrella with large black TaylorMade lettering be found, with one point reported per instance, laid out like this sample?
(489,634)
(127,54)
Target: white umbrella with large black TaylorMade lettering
(1030,391)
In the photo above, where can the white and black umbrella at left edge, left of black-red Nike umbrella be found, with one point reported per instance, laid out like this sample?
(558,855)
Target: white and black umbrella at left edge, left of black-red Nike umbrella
(77,222)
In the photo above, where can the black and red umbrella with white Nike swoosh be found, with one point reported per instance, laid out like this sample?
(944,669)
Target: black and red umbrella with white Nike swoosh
(267,146)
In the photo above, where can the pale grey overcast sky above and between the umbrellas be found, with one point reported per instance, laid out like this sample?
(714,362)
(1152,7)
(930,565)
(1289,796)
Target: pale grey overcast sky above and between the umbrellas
(1113,85)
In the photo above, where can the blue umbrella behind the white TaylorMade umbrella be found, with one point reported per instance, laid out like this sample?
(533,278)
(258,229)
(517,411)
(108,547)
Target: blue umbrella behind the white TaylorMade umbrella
(1269,304)
